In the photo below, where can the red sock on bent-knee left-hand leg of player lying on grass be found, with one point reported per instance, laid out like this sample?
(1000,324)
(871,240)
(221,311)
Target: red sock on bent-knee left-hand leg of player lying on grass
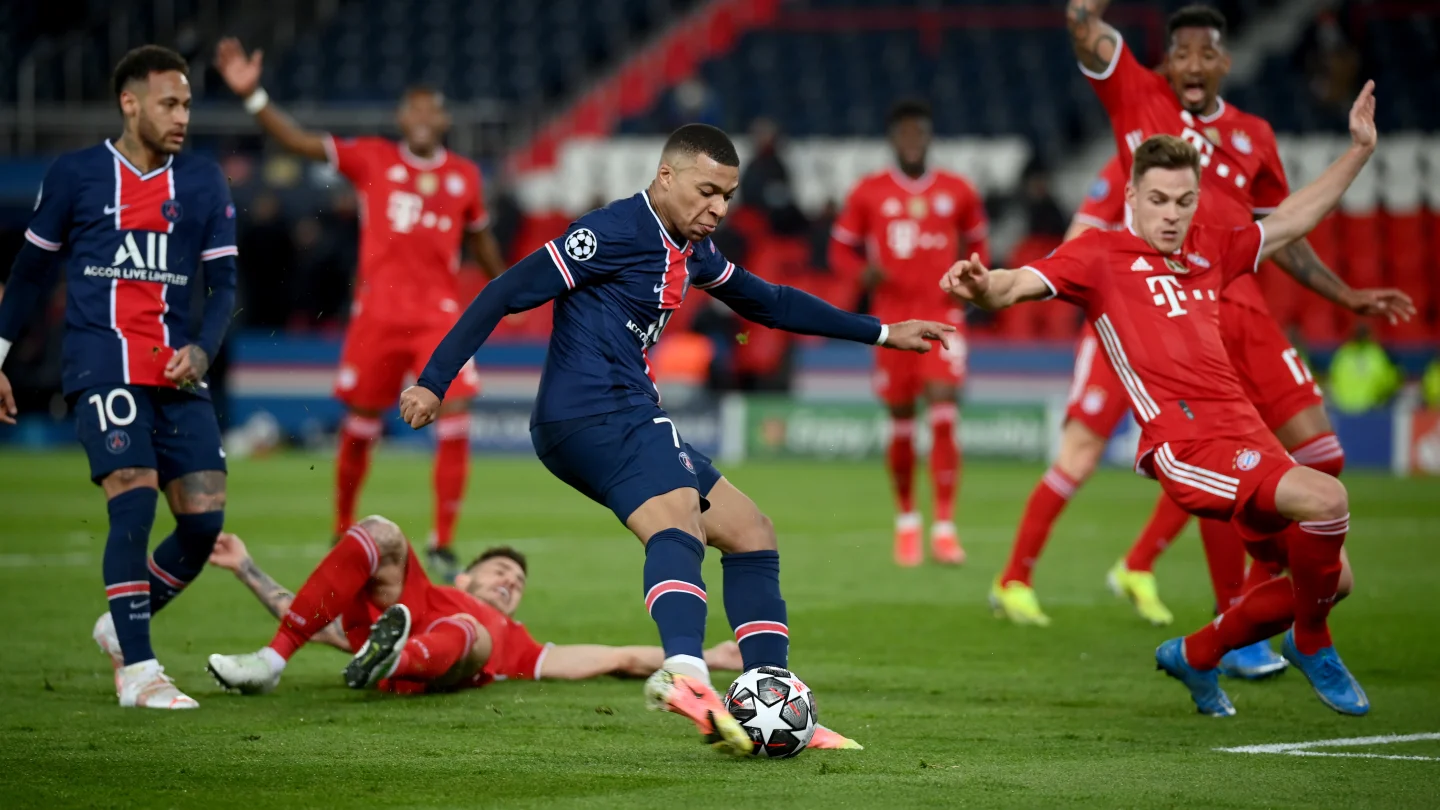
(330,590)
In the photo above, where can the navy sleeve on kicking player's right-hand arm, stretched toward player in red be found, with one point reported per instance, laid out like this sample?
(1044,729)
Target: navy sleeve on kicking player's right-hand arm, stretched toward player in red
(775,305)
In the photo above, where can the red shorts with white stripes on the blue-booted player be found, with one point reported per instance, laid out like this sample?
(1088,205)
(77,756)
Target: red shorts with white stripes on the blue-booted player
(1225,479)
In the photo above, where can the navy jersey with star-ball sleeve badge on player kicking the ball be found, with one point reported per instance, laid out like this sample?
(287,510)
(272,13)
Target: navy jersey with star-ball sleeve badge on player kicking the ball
(624,277)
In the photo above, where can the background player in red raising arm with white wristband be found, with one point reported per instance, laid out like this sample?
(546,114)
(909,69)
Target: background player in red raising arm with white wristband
(420,204)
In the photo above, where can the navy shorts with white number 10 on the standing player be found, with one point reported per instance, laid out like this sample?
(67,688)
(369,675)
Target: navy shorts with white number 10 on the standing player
(156,429)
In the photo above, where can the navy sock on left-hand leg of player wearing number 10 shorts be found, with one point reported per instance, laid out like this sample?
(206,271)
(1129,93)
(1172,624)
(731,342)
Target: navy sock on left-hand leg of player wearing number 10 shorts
(127,583)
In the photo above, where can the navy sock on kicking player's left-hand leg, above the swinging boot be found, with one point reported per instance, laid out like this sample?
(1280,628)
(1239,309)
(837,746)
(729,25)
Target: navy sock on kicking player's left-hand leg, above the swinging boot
(675,593)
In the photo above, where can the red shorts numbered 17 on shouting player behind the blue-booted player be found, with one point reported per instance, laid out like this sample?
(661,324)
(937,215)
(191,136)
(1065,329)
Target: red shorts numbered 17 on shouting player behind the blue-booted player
(1272,373)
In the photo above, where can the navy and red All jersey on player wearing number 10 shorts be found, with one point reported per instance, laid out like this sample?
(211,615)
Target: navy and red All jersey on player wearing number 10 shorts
(138,244)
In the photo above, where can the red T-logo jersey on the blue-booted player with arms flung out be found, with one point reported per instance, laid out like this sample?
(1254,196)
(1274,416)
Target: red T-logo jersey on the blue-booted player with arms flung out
(1158,319)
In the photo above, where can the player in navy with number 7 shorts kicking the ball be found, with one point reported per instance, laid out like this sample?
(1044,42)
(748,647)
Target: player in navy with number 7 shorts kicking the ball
(617,276)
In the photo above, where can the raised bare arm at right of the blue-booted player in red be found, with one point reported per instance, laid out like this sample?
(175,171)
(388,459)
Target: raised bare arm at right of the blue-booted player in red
(1302,211)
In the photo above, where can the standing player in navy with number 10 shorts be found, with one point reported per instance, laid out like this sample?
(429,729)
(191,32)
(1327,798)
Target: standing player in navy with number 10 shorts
(142,221)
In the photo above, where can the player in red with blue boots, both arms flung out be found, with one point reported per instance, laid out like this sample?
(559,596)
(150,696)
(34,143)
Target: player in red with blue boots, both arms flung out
(1151,293)
